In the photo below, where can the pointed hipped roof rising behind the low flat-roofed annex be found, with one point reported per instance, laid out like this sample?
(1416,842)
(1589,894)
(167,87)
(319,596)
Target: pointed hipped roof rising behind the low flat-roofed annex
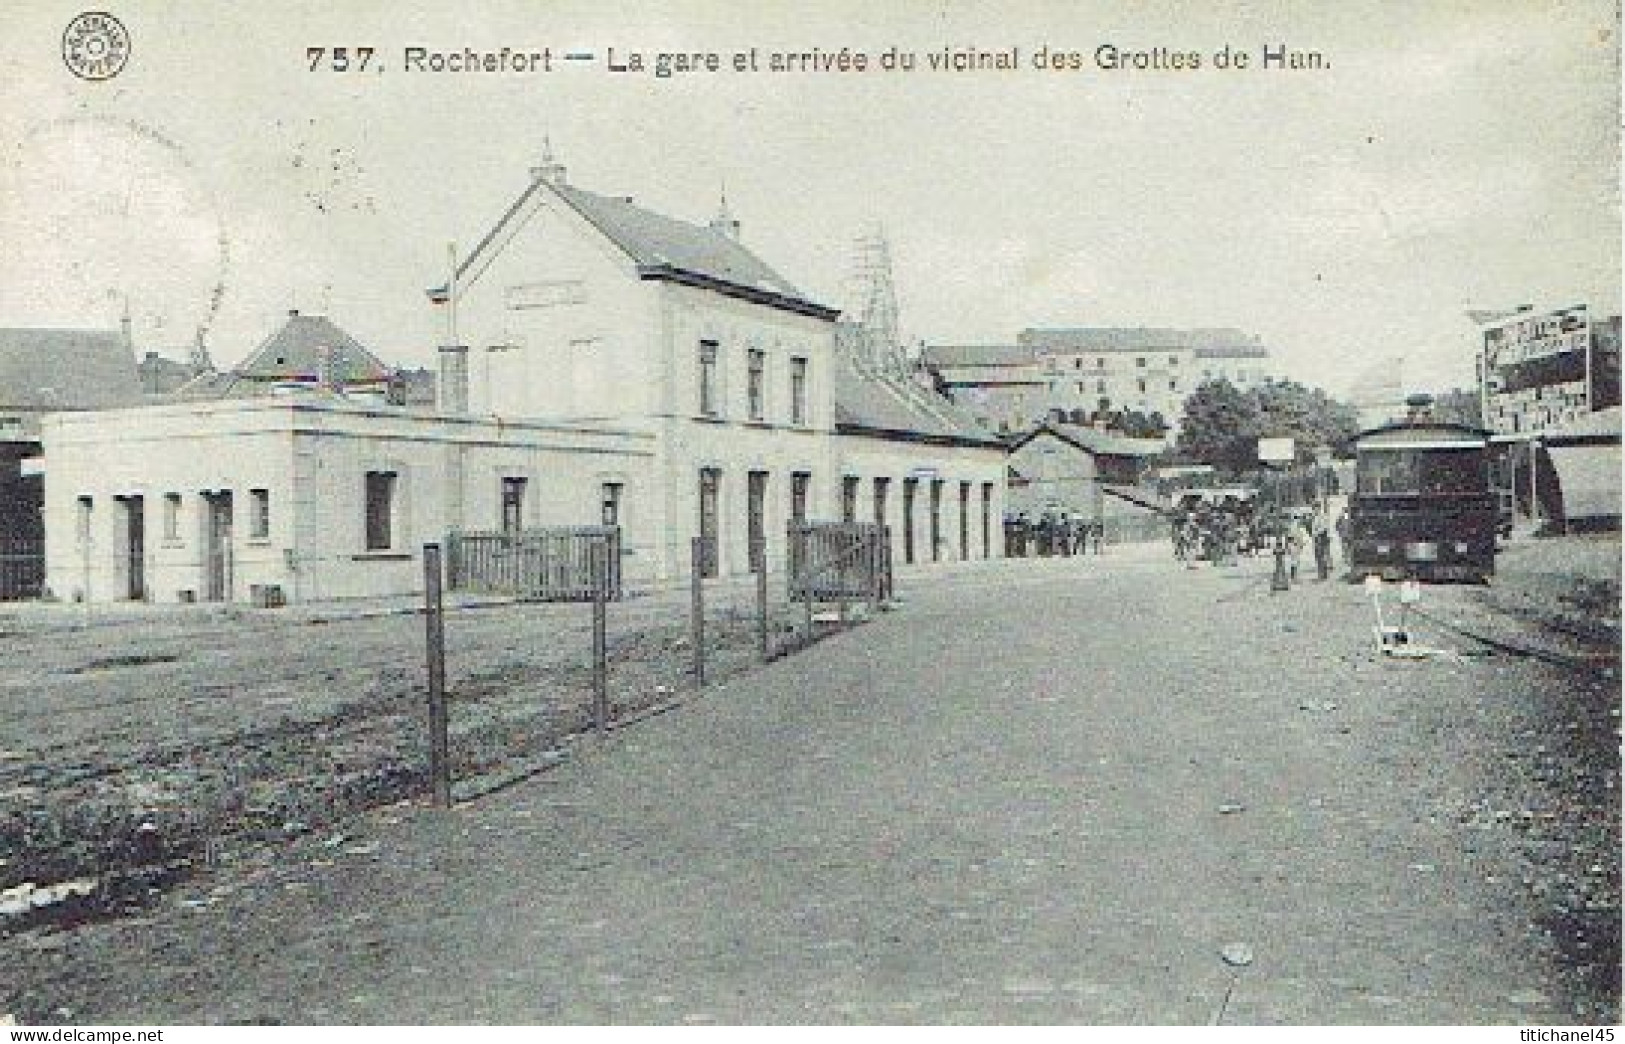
(295,352)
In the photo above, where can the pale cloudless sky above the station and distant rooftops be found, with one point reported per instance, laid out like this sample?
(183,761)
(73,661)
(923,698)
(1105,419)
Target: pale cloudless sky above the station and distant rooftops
(1449,157)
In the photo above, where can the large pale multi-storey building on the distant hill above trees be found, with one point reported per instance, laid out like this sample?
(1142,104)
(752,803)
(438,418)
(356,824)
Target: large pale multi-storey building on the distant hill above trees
(1090,370)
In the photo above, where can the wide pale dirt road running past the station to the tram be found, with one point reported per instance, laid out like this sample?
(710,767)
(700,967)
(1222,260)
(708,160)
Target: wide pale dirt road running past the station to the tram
(1041,793)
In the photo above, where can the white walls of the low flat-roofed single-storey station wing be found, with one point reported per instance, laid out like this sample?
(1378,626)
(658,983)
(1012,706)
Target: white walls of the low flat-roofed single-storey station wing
(313,461)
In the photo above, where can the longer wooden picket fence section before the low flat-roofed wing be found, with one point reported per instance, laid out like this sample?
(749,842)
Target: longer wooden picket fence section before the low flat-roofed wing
(544,565)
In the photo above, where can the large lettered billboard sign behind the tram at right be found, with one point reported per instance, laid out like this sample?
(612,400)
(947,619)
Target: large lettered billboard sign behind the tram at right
(1535,370)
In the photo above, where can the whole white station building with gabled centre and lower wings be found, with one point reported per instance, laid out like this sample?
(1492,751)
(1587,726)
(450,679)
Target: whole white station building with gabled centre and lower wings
(602,363)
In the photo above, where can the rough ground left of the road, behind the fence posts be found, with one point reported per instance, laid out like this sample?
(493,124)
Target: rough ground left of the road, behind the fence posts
(141,747)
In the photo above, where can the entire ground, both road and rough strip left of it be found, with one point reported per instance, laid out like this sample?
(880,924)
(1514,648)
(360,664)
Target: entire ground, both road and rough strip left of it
(1203,762)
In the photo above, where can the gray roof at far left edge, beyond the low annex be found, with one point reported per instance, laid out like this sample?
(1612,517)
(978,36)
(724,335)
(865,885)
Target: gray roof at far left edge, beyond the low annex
(66,370)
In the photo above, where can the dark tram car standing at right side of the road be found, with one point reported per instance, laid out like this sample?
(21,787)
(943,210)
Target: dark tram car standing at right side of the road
(1423,507)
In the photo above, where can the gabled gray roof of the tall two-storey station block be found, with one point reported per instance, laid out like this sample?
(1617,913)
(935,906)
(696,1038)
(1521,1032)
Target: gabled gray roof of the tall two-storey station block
(662,248)
